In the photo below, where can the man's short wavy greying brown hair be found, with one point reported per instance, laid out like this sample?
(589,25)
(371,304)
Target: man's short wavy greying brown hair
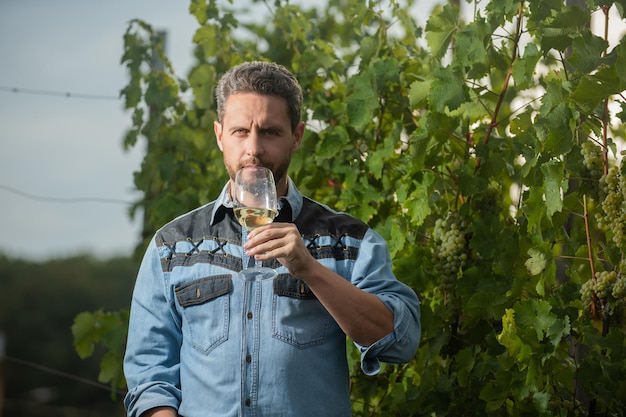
(264,78)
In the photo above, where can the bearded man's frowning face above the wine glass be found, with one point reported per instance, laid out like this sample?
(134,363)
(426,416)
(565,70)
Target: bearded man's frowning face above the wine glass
(256,130)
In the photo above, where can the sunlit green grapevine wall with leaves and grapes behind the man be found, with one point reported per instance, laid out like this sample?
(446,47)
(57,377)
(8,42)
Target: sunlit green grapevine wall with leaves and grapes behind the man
(486,152)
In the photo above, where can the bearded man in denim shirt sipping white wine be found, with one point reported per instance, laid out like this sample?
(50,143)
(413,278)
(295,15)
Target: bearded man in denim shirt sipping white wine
(203,341)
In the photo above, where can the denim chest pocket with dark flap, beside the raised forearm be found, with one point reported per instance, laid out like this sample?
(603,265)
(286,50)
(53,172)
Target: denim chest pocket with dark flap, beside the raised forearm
(298,318)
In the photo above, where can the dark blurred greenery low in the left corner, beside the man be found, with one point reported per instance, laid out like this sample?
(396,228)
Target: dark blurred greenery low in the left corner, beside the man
(41,376)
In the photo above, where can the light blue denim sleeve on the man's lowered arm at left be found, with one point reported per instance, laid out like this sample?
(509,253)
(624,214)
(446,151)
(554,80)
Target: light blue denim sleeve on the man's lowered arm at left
(152,358)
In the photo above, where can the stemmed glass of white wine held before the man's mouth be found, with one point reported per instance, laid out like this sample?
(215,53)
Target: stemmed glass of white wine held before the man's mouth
(255,204)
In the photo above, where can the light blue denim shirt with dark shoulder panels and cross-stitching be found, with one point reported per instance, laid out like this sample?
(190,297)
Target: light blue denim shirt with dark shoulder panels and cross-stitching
(208,343)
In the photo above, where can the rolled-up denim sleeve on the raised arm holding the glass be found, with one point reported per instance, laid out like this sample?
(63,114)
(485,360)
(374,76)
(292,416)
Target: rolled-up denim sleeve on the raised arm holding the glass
(373,273)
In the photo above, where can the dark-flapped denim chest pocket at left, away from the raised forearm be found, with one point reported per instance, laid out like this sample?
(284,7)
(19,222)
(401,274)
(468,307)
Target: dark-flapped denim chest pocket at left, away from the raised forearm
(205,303)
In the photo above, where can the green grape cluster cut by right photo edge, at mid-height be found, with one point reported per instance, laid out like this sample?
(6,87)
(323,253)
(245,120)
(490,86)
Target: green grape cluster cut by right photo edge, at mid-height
(613,215)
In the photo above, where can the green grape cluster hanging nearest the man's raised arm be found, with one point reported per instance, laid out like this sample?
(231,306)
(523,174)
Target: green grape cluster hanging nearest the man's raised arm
(450,253)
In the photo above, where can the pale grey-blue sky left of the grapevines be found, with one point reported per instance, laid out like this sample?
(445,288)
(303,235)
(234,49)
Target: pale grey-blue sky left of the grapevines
(65,180)
